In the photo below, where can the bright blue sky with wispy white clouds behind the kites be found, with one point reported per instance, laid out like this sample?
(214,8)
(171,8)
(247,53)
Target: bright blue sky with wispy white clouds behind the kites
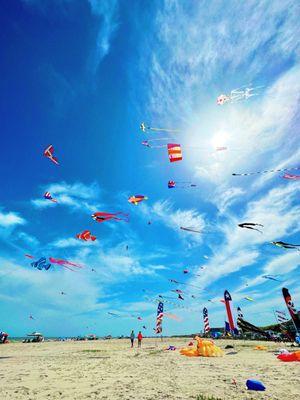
(82,75)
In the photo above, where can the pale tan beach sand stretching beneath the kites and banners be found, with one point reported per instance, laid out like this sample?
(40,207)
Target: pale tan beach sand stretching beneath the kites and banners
(112,370)
